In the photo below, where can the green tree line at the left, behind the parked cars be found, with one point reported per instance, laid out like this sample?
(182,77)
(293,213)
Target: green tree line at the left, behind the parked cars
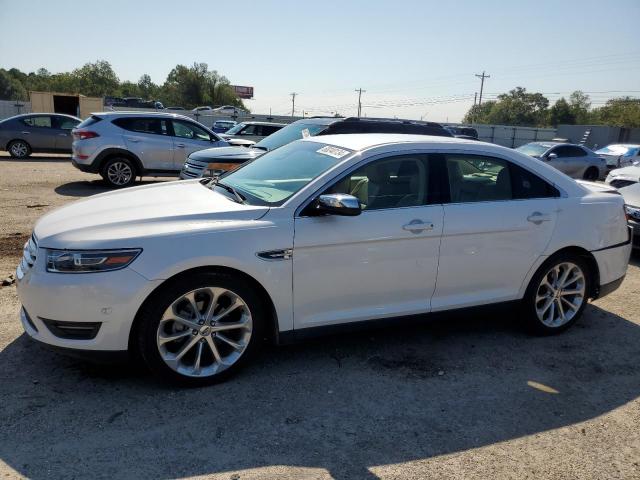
(185,86)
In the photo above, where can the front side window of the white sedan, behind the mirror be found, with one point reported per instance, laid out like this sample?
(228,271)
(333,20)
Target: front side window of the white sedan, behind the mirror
(391,182)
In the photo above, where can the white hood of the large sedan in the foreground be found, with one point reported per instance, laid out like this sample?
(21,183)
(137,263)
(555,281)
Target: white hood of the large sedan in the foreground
(121,218)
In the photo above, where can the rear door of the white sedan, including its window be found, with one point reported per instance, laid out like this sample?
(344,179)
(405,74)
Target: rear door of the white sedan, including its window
(497,224)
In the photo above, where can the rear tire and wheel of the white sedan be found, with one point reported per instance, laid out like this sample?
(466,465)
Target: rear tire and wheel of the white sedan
(563,309)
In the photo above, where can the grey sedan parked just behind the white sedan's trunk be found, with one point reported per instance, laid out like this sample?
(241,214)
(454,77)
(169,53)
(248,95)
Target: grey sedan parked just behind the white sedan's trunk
(576,161)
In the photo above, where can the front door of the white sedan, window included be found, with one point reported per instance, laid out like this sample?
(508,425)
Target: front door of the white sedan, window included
(381,263)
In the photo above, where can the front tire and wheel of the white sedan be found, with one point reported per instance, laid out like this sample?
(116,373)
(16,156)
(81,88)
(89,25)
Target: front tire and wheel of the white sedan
(171,337)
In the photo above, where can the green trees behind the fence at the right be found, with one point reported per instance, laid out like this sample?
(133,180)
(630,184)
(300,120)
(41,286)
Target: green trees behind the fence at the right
(519,107)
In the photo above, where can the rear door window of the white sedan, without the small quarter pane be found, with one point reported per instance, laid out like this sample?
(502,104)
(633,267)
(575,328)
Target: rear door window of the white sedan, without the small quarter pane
(476,178)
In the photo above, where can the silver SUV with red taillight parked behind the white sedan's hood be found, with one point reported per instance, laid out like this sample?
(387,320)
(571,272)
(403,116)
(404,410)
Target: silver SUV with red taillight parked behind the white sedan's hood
(121,146)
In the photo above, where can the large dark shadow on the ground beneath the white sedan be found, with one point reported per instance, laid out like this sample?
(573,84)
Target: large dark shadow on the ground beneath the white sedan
(343,404)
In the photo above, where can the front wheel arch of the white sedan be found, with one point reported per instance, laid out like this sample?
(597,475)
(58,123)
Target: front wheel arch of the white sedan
(271,329)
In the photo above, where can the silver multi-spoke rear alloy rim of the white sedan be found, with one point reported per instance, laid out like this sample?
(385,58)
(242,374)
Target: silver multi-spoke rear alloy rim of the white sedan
(560,294)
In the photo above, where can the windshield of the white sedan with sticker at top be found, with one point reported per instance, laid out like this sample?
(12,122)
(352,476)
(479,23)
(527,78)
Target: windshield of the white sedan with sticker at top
(275,176)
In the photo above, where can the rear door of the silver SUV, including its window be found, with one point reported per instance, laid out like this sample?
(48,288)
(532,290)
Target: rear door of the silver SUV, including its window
(149,139)
